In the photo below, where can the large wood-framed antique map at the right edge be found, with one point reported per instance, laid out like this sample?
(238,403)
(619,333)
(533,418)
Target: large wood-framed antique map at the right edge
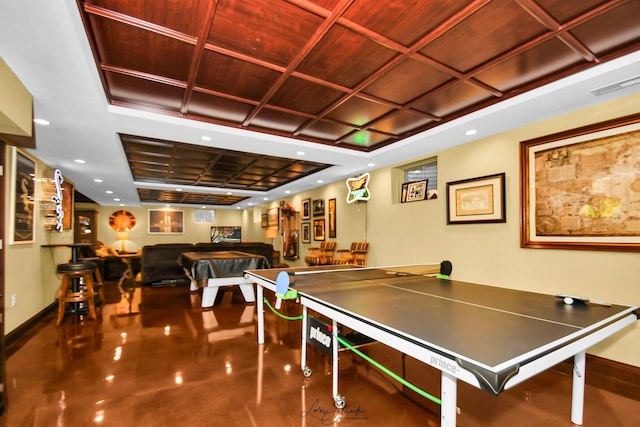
(579,188)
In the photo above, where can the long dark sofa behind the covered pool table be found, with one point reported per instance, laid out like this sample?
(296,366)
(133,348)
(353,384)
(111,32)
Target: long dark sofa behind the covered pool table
(159,262)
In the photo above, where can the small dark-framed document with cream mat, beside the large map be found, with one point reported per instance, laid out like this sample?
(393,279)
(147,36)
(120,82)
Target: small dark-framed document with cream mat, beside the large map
(476,200)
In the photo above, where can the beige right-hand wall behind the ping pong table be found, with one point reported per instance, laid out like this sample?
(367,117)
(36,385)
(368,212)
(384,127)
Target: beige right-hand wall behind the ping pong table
(490,253)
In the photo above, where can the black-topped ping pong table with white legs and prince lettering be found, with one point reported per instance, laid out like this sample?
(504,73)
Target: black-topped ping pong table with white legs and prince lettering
(492,338)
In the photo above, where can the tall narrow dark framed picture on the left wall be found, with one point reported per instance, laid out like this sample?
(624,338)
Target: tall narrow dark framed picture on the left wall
(23,199)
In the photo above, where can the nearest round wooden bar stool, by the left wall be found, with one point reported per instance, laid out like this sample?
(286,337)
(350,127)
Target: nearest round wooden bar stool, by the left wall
(71,288)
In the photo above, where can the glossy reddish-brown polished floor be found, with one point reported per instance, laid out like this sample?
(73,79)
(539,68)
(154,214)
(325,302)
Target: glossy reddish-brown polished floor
(155,358)
